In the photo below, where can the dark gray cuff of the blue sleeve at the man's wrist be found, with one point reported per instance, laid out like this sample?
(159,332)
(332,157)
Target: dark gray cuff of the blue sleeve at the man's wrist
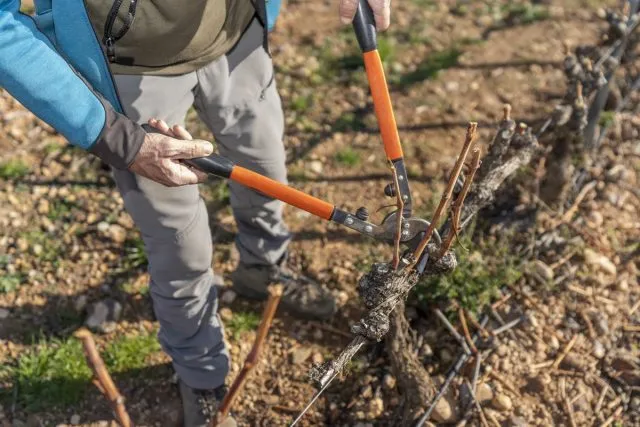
(120,139)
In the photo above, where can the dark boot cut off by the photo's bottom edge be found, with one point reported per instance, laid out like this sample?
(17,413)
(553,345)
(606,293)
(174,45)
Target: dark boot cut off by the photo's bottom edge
(200,406)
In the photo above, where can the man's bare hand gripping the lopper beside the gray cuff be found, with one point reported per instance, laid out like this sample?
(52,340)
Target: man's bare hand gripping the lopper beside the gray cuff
(160,155)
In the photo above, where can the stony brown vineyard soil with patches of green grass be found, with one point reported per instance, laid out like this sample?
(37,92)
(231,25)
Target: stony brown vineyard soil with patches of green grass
(70,254)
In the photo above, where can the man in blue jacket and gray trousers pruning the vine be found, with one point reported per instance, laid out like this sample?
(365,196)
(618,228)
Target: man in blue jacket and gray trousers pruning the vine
(162,57)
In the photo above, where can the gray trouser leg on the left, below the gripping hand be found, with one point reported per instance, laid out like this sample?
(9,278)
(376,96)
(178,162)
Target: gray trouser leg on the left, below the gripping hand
(175,229)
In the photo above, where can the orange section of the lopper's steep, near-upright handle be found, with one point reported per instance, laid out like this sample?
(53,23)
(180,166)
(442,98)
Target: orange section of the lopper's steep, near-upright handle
(382,105)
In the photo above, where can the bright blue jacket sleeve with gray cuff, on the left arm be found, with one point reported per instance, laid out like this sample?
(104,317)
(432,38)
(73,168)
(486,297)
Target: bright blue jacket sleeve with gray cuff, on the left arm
(34,73)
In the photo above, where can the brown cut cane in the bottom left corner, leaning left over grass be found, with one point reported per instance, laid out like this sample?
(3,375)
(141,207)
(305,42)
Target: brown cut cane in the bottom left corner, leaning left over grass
(107,387)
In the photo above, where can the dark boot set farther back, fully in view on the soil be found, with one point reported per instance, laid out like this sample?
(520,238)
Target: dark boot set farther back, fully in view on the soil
(302,296)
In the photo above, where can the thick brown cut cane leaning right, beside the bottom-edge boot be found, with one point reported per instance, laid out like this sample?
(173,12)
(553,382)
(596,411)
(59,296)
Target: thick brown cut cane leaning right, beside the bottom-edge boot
(275,292)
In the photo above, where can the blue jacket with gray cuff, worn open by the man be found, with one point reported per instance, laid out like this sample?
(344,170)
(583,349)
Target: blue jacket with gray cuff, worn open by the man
(54,64)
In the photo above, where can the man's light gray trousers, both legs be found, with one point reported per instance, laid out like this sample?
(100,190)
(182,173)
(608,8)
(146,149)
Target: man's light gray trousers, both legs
(236,97)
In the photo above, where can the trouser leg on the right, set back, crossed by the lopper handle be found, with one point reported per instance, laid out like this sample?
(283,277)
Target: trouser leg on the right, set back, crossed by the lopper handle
(237,98)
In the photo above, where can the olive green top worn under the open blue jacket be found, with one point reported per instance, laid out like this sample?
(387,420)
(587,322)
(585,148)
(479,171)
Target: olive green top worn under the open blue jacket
(173,37)
